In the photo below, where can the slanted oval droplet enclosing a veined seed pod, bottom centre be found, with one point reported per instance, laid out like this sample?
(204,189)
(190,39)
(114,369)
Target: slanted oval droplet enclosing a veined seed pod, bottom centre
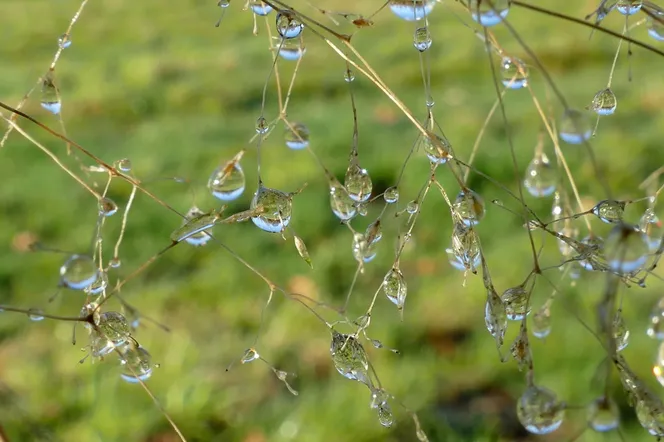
(349,357)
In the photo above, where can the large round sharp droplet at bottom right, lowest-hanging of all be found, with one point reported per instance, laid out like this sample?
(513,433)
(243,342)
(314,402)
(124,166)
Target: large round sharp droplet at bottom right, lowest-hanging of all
(539,411)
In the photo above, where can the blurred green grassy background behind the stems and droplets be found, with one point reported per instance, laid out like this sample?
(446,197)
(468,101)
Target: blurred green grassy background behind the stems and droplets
(157,83)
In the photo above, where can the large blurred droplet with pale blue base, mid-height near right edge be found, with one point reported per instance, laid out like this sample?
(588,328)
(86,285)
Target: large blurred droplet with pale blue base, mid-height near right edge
(626,248)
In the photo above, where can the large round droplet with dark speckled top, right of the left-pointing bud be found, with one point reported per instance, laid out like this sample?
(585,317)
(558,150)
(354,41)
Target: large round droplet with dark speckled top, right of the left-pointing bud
(277,208)
